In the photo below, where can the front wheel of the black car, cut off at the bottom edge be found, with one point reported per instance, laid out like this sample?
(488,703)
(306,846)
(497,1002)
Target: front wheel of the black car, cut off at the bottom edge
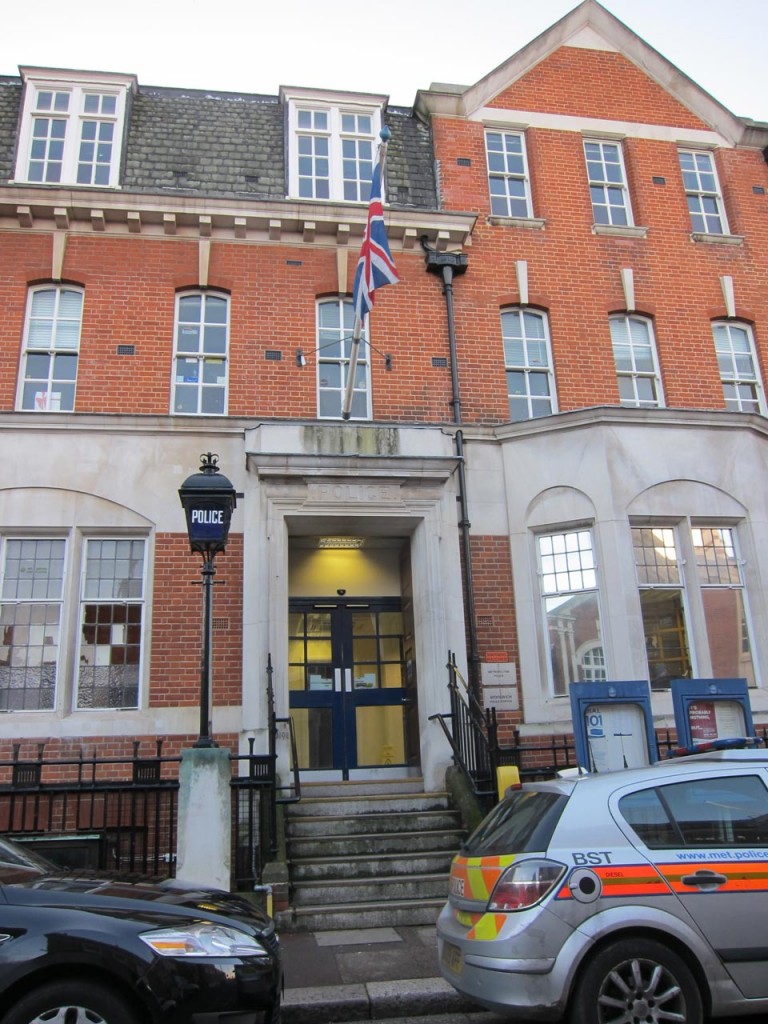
(70,1003)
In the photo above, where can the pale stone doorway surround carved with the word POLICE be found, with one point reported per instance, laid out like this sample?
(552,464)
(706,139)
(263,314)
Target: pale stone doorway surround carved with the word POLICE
(354,480)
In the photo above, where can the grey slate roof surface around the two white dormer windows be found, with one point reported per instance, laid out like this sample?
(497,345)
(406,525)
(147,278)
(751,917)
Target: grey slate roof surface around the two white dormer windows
(226,145)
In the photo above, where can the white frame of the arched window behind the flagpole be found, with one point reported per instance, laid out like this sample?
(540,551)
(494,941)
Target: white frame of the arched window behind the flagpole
(339,360)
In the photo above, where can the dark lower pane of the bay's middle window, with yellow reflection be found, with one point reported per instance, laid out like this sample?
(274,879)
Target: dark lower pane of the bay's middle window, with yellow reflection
(666,639)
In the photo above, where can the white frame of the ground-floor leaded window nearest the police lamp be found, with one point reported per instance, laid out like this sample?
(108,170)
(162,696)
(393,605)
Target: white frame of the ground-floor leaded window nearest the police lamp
(97,650)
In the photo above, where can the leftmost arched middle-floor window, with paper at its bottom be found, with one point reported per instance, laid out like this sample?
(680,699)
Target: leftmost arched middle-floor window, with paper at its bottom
(50,362)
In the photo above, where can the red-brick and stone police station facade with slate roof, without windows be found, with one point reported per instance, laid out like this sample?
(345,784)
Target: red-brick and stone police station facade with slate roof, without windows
(220,219)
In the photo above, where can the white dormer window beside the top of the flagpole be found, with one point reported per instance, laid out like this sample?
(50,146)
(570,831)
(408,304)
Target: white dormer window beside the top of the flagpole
(332,143)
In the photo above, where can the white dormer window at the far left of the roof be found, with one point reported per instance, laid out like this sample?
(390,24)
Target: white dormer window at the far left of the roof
(72,129)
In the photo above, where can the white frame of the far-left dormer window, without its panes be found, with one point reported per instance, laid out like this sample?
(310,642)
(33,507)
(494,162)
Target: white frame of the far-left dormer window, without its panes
(77,87)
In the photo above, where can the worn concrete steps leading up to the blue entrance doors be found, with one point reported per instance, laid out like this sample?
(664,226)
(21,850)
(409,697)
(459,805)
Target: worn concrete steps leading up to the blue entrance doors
(368,856)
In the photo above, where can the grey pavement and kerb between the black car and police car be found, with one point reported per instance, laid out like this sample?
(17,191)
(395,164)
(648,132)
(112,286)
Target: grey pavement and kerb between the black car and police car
(369,974)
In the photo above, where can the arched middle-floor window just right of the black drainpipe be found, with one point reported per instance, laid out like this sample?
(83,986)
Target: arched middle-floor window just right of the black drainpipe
(529,365)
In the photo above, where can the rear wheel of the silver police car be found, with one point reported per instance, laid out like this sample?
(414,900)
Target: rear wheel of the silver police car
(636,980)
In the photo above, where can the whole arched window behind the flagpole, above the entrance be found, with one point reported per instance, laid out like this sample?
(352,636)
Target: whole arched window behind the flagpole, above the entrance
(335,324)
